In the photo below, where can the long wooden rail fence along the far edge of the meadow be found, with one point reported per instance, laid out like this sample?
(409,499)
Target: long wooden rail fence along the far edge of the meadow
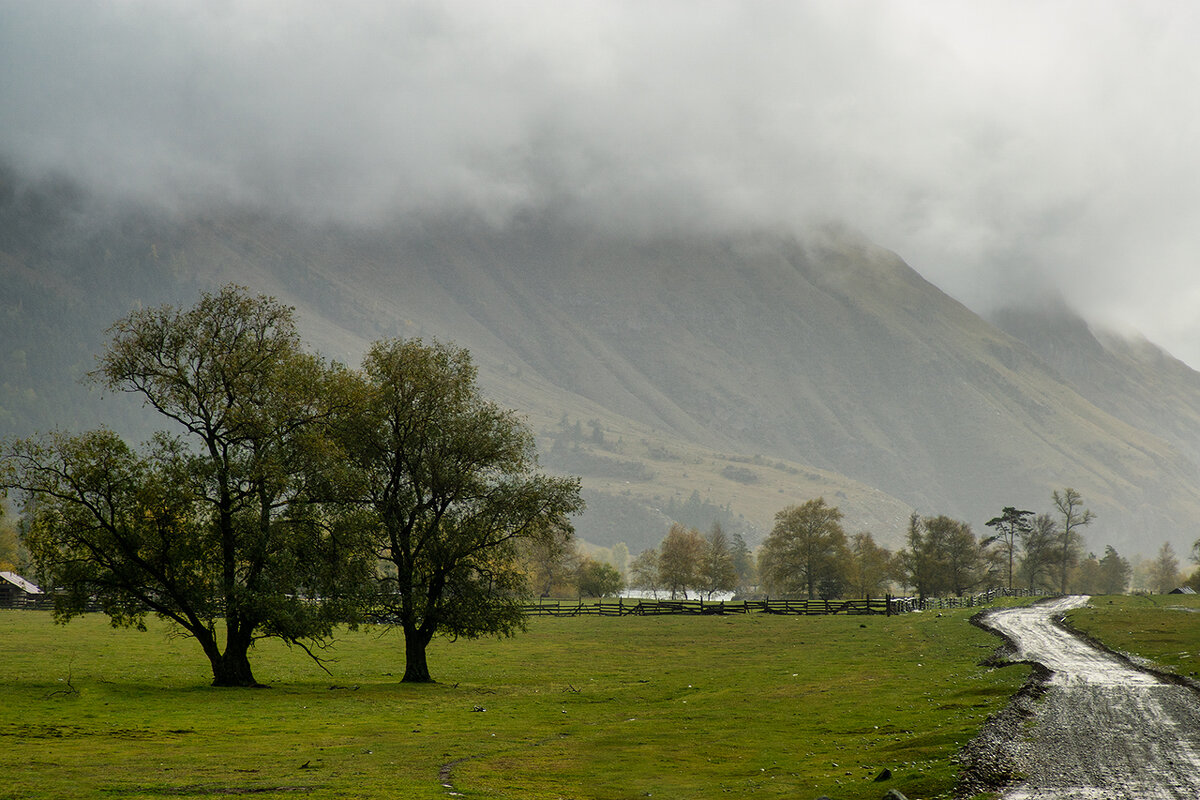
(887,605)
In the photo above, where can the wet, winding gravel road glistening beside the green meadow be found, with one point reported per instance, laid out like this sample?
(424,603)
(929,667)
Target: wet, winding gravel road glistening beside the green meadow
(1103,729)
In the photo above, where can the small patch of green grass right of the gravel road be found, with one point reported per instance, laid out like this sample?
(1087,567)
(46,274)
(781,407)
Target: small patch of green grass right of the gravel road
(1165,629)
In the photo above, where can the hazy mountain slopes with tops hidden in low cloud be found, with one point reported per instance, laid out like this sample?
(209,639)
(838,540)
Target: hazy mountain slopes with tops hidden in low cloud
(717,376)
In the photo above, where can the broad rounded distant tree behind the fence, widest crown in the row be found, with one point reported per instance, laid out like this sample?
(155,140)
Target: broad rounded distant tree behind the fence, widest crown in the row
(806,552)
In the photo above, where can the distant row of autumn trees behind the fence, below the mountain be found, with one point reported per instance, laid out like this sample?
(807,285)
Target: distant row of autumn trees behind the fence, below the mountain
(809,555)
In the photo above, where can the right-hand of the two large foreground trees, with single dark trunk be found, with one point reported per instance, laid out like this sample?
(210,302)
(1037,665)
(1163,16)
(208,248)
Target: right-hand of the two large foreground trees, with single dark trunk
(451,480)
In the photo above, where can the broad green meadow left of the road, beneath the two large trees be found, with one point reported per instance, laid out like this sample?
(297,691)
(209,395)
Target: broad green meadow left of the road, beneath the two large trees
(776,707)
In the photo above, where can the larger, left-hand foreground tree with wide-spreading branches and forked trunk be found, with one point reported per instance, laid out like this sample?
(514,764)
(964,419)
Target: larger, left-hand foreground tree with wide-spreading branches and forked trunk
(223,527)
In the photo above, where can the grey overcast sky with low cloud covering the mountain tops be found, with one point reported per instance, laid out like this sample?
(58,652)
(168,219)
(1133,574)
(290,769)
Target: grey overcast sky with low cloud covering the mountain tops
(997,146)
